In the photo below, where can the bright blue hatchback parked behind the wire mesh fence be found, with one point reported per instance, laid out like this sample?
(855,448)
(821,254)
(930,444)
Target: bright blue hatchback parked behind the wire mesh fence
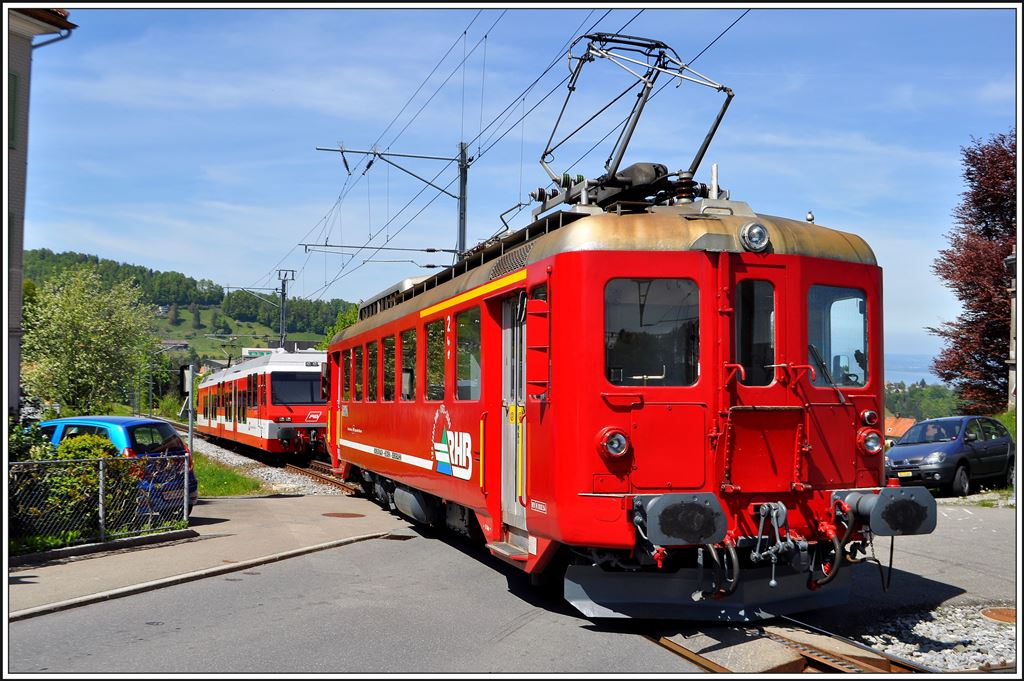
(135,437)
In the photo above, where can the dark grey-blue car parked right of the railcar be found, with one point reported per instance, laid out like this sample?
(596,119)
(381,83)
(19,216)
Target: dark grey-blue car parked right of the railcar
(954,454)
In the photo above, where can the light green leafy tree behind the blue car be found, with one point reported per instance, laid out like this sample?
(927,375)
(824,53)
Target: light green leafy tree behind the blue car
(89,343)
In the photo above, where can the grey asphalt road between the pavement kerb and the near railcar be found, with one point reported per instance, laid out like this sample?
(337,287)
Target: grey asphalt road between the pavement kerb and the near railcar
(380,607)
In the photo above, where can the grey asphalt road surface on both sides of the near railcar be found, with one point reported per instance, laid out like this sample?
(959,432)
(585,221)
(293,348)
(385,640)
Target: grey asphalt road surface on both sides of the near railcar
(435,607)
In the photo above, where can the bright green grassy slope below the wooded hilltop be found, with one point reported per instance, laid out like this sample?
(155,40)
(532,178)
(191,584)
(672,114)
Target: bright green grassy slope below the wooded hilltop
(244,334)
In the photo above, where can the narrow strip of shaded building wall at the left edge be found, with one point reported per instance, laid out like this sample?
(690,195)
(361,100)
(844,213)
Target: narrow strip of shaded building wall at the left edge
(19,76)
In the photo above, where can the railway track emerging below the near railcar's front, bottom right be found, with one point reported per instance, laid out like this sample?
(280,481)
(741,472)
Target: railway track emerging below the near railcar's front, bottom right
(789,648)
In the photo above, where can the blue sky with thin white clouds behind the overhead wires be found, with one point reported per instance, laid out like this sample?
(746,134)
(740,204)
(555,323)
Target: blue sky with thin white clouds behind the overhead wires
(185,140)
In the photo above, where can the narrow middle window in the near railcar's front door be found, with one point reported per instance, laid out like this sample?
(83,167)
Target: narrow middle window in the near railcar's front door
(756,331)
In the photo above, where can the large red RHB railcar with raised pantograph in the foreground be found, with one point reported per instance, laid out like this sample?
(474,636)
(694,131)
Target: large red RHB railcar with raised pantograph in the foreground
(663,396)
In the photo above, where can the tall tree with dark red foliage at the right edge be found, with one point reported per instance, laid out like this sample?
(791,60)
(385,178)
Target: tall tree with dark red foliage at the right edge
(976,346)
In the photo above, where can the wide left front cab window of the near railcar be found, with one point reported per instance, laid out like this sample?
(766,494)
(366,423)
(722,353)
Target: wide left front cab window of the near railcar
(652,332)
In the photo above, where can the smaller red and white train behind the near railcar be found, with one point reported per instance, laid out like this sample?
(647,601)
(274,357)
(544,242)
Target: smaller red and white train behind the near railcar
(272,403)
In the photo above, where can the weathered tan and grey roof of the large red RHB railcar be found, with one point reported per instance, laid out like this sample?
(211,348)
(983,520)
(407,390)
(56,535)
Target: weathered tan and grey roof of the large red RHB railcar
(703,226)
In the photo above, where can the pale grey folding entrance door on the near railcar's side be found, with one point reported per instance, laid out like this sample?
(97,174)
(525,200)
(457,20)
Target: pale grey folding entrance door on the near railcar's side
(515,423)
